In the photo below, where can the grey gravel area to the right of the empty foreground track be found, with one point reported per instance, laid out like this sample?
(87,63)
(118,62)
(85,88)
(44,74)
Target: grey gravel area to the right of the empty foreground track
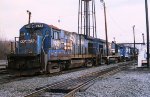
(129,83)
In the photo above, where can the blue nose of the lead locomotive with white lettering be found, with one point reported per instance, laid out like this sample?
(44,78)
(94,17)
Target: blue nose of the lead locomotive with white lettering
(28,41)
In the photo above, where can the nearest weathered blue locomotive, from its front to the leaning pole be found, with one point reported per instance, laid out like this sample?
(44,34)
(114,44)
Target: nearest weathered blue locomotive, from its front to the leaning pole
(46,48)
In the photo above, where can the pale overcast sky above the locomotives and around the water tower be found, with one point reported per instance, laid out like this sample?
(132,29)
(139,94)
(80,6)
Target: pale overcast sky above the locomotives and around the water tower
(121,16)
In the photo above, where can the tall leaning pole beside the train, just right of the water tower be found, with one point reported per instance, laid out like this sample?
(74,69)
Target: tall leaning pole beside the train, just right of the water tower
(105,28)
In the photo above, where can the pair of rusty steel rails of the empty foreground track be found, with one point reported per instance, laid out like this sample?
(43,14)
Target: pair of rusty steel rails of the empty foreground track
(42,90)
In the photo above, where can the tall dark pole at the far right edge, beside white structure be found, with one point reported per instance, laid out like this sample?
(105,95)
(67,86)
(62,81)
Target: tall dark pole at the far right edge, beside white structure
(147,30)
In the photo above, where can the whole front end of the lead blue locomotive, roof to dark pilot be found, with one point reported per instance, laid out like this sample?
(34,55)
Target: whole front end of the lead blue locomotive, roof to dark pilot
(29,49)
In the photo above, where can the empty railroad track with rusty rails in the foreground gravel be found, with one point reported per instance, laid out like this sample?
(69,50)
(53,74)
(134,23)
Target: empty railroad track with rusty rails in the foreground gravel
(70,86)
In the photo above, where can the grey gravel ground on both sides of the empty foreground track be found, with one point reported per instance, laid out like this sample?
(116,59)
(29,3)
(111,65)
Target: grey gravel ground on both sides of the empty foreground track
(133,82)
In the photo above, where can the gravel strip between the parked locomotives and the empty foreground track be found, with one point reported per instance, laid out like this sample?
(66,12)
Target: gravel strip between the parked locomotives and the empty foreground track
(24,87)
